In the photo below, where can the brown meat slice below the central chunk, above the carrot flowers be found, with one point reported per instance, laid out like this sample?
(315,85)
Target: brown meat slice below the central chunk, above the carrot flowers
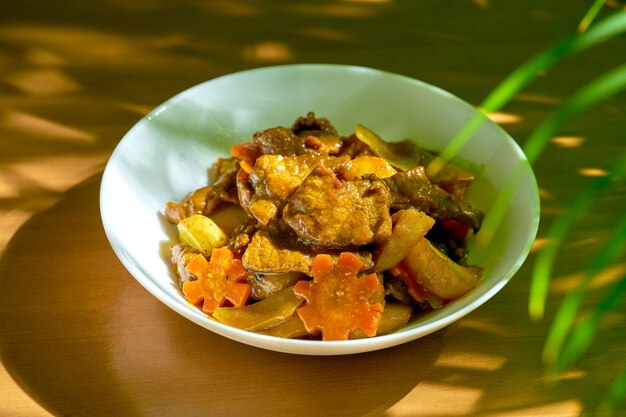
(274,251)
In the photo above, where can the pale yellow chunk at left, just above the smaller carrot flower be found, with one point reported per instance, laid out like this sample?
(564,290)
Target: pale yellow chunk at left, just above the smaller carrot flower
(201,233)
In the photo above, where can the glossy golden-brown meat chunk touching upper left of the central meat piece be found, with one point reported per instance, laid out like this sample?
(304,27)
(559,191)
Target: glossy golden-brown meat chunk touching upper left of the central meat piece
(275,177)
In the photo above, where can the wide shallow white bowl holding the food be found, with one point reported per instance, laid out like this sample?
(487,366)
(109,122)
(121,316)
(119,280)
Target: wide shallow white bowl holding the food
(167,153)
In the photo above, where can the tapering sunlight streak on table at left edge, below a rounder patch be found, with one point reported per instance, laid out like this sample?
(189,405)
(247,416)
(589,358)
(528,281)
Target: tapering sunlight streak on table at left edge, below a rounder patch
(44,128)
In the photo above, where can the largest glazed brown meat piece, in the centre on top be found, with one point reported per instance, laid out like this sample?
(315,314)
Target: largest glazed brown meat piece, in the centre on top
(328,212)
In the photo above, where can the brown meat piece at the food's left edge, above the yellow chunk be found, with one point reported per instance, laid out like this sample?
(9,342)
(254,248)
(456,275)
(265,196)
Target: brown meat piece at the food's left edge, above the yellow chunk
(205,199)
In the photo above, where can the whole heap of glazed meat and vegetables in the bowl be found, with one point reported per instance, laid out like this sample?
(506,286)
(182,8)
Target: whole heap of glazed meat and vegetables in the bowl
(304,233)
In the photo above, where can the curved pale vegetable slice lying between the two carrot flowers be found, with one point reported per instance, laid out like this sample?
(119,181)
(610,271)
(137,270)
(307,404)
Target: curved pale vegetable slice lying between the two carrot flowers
(267,313)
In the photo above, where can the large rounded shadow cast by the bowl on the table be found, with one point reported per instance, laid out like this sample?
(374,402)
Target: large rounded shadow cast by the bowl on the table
(82,337)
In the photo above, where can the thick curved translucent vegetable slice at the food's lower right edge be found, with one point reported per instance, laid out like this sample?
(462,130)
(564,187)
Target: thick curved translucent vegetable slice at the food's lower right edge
(439,274)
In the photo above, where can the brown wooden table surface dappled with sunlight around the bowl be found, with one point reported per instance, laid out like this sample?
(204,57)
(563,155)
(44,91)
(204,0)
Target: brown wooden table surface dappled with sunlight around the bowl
(79,336)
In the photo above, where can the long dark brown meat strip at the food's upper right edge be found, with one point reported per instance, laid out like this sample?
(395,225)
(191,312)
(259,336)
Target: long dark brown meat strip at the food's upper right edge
(413,189)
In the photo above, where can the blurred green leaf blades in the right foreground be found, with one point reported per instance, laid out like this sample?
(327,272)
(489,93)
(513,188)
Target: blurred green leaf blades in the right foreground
(571,332)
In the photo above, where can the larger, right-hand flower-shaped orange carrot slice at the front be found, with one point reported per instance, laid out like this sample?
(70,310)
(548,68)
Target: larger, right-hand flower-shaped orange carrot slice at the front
(339,302)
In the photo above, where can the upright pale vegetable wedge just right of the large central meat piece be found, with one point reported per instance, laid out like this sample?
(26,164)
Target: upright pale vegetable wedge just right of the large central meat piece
(411,225)
